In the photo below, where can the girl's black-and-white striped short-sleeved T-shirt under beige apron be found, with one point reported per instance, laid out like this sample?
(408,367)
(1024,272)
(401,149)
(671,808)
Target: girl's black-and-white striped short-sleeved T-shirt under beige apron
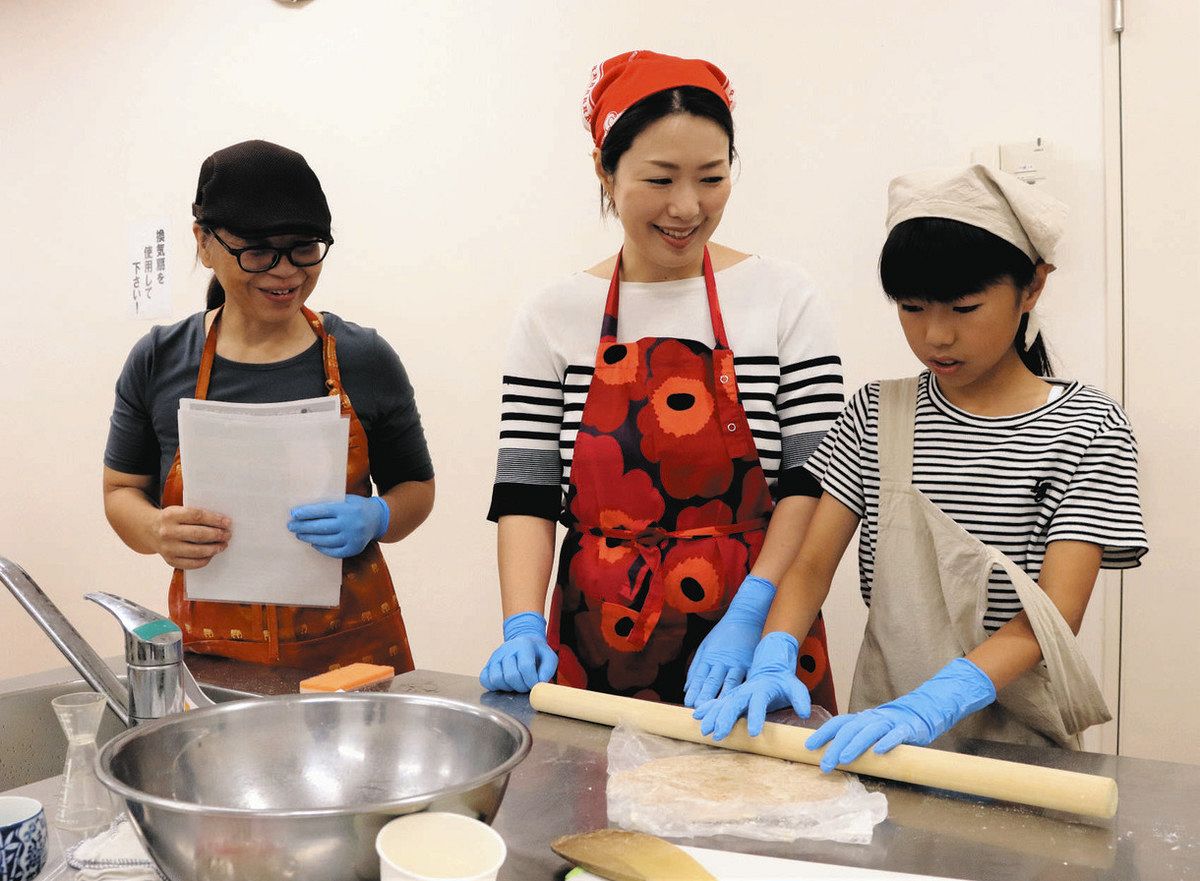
(1064,472)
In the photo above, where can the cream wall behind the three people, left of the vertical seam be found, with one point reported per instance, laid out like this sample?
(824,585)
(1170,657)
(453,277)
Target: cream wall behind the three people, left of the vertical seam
(449,142)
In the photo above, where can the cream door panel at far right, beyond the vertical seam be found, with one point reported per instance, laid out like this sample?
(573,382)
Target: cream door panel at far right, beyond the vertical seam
(1161,612)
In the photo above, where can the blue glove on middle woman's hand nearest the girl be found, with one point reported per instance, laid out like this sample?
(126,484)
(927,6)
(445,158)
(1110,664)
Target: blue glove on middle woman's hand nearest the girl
(724,657)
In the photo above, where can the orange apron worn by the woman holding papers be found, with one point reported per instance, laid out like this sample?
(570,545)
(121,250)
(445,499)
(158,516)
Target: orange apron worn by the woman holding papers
(367,626)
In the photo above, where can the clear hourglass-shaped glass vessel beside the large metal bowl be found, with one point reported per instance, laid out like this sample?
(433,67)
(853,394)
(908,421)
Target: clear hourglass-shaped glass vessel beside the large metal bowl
(86,806)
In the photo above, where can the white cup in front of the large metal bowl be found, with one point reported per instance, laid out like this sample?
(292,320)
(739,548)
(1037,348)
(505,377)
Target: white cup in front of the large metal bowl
(437,847)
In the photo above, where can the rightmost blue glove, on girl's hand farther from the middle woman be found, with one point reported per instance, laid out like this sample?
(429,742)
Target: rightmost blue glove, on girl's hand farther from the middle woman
(920,717)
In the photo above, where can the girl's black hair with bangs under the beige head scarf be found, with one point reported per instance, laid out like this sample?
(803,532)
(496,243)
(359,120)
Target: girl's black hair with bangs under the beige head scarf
(938,260)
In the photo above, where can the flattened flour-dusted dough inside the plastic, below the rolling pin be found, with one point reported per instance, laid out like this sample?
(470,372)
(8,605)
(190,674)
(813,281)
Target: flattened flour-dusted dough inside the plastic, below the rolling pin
(724,787)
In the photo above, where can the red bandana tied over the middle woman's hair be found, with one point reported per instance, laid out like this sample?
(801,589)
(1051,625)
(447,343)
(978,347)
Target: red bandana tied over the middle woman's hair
(621,82)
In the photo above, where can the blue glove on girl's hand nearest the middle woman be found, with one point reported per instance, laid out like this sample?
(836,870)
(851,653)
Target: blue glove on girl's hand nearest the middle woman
(771,685)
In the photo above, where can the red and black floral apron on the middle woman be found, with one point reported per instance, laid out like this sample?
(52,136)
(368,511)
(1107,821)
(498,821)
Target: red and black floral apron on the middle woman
(667,512)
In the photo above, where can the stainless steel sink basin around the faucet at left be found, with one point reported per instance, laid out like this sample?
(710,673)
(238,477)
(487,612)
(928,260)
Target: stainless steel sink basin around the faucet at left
(32,744)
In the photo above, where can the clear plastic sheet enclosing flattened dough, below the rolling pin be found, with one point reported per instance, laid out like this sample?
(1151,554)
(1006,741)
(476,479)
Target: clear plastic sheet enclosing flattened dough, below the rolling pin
(733,794)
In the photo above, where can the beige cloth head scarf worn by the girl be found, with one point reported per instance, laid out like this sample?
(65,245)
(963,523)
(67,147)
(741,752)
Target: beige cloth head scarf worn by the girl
(985,197)
